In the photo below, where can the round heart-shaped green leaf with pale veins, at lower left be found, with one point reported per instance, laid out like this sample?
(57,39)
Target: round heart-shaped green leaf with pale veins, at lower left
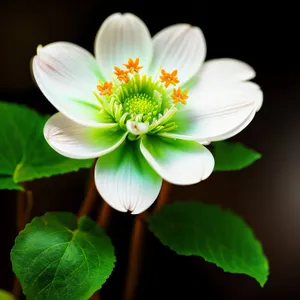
(54,258)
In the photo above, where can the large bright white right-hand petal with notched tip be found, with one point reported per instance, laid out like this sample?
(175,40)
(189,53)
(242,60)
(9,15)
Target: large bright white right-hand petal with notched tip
(221,104)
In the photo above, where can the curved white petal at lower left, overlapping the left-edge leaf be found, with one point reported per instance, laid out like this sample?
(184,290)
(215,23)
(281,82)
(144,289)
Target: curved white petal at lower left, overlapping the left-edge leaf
(77,141)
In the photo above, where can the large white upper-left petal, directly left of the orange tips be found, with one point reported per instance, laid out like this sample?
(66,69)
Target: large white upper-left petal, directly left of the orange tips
(67,75)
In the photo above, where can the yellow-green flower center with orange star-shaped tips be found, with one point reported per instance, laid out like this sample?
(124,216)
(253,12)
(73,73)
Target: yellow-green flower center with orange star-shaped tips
(139,103)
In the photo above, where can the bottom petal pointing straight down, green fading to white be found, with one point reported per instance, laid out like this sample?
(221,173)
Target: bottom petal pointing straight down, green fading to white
(126,181)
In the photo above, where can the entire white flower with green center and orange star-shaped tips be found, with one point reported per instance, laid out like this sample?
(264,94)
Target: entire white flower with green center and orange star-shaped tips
(134,119)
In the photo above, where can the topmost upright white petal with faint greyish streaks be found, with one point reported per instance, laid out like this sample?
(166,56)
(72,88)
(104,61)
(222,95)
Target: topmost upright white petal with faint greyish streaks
(120,37)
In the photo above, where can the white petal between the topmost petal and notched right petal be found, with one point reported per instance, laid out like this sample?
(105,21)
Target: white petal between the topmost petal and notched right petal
(180,47)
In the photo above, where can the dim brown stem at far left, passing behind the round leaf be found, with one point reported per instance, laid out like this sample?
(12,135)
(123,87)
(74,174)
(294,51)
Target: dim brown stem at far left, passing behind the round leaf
(23,209)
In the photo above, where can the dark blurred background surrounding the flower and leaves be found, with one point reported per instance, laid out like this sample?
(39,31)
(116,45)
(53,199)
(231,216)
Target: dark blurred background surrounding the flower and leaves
(265,194)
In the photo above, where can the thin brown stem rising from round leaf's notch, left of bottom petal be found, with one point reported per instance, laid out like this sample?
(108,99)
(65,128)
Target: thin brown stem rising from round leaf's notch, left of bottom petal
(90,197)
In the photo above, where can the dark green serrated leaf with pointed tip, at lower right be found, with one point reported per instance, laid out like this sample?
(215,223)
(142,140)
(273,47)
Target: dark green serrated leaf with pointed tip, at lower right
(219,236)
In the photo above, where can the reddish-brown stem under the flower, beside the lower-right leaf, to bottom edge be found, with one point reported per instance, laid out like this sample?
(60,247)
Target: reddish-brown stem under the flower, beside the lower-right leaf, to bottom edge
(136,246)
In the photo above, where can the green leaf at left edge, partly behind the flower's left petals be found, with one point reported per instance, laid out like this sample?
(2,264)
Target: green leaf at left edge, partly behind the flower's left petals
(24,153)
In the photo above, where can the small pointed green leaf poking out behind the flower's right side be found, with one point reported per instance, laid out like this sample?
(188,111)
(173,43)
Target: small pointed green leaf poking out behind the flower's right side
(230,156)
